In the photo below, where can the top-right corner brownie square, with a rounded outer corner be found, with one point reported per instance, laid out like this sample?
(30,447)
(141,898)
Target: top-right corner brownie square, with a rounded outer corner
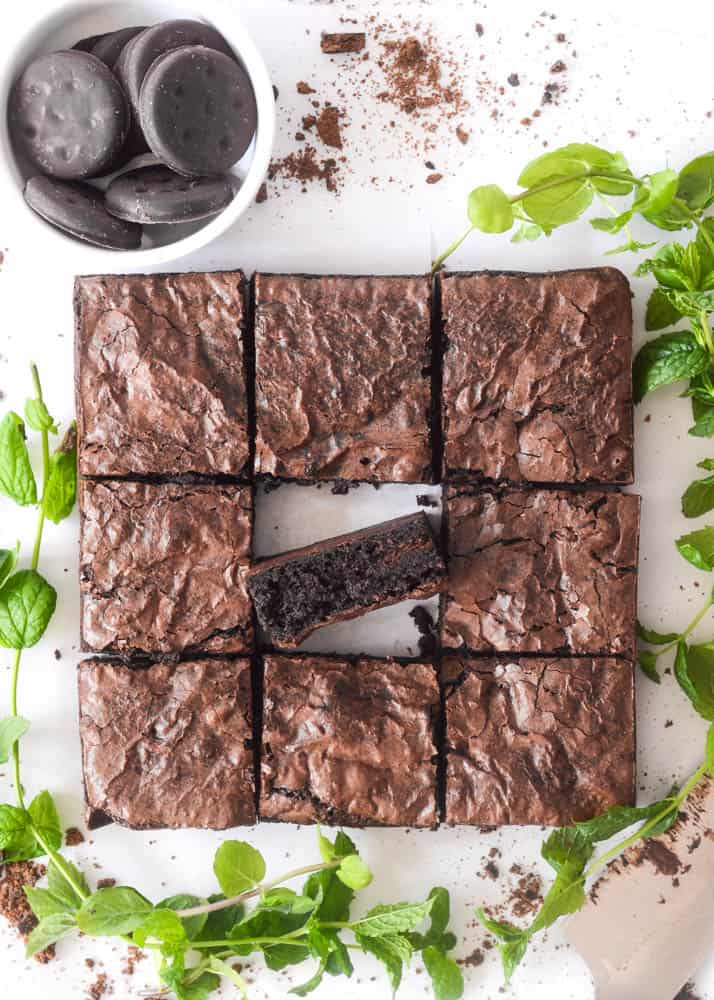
(537,381)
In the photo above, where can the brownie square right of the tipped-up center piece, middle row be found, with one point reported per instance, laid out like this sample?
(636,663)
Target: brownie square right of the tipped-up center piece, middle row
(541,571)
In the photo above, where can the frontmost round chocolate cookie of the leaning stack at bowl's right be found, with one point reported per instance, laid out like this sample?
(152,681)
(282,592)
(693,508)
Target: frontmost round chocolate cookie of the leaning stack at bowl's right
(198,110)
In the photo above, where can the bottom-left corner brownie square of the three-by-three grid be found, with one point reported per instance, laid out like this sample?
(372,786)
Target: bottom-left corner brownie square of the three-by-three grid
(167,745)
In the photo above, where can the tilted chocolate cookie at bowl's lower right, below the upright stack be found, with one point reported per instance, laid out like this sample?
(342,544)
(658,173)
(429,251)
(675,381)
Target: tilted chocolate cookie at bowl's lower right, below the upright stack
(156,195)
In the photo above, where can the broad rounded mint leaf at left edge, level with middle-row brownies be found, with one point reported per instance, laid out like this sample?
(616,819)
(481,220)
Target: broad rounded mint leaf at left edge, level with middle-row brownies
(27,603)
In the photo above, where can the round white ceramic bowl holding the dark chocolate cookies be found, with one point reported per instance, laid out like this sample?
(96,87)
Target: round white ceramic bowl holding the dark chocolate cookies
(65,25)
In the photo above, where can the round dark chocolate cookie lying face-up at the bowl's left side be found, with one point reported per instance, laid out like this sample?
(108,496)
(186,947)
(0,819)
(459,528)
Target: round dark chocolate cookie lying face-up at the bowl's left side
(68,114)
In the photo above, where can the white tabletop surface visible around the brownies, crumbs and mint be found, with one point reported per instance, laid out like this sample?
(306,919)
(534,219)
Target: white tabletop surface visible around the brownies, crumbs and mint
(640,83)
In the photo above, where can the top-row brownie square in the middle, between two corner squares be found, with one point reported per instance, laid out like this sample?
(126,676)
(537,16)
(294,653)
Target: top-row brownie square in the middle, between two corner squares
(343,383)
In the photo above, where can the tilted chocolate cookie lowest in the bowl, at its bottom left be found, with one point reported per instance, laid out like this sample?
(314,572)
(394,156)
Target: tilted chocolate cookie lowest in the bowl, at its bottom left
(79,209)
